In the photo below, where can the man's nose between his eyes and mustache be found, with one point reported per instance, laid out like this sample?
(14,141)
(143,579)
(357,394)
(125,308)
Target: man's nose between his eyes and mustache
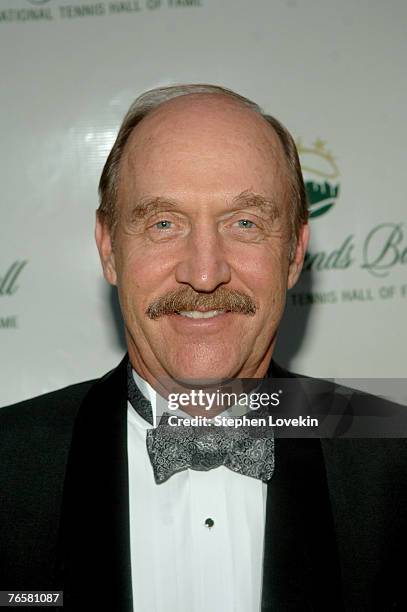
(203,265)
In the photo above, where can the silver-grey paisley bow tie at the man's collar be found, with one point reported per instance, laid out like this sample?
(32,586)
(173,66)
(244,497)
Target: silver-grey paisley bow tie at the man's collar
(247,450)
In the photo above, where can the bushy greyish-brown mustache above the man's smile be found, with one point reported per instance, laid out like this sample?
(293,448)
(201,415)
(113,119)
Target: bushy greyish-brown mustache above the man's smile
(188,299)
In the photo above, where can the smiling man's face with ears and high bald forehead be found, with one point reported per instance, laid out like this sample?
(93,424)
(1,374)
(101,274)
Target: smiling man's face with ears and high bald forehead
(201,248)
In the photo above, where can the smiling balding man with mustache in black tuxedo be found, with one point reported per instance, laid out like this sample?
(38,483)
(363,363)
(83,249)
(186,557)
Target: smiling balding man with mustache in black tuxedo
(202,227)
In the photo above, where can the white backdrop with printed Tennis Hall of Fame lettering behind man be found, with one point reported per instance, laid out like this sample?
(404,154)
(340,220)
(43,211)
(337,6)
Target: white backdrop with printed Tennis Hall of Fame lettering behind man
(332,70)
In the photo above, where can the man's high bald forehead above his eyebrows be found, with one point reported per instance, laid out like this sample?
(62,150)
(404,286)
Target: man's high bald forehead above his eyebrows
(206,143)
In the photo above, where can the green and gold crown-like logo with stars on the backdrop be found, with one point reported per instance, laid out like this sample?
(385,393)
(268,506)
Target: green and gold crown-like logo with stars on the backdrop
(319,163)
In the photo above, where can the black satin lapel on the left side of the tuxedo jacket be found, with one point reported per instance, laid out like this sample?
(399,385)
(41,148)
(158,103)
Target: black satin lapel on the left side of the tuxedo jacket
(94,546)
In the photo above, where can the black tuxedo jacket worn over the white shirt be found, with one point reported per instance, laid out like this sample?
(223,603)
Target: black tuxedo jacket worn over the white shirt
(336,523)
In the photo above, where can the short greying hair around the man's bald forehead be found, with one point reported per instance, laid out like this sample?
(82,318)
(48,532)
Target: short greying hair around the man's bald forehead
(150,100)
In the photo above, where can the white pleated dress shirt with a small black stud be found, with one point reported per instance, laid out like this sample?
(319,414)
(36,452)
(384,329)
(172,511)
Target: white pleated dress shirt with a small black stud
(179,564)
